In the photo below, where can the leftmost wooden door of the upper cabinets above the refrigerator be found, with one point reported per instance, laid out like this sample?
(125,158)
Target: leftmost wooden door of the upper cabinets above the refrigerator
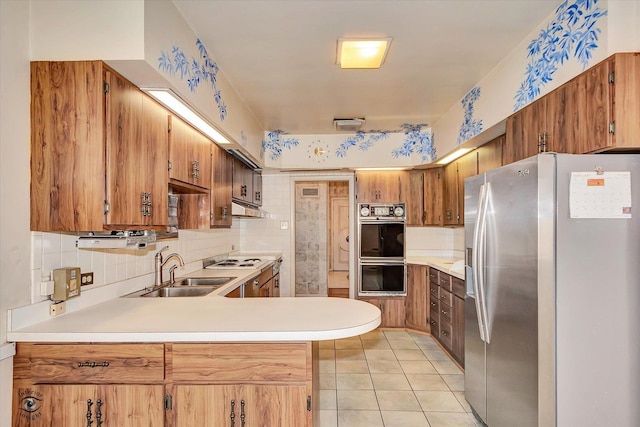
(523,129)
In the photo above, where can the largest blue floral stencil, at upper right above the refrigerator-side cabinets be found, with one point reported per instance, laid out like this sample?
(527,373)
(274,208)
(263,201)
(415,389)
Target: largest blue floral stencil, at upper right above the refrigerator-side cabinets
(574,31)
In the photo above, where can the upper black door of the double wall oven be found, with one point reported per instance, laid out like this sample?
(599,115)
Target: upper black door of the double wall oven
(382,240)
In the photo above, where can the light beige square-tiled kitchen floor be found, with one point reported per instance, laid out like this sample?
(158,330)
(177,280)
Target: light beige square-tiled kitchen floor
(390,379)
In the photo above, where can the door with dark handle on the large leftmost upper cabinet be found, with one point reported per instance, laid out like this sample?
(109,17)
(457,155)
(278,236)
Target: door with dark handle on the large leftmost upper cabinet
(136,144)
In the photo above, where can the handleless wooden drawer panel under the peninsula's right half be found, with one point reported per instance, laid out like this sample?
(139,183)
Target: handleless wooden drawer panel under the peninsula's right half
(241,362)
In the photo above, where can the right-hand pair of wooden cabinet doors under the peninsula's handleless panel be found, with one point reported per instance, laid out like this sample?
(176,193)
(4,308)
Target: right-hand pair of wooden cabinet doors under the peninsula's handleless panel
(240,405)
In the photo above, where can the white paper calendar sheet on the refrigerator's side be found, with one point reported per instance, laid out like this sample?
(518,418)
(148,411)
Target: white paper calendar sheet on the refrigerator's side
(600,195)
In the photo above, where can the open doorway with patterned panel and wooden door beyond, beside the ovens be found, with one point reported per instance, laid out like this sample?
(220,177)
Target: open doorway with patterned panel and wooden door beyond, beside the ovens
(322,245)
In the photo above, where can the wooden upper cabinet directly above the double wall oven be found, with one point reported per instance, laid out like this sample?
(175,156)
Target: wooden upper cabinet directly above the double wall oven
(382,186)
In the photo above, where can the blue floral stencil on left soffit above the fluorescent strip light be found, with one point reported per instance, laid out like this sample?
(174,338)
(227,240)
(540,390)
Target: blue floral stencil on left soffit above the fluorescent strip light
(195,72)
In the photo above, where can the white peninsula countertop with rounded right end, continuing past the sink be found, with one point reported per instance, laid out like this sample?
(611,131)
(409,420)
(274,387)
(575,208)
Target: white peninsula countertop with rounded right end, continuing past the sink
(209,318)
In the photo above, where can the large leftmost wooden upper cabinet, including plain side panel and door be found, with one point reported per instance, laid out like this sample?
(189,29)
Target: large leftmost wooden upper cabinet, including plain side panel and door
(95,146)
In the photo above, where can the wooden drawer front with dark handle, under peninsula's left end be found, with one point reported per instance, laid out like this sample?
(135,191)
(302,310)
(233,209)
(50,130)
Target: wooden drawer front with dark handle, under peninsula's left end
(97,363)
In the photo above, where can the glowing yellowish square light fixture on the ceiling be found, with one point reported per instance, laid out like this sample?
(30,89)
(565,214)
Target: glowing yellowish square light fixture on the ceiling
(362,53)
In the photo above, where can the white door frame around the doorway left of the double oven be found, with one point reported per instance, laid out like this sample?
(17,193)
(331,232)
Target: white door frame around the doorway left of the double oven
(348,177)
